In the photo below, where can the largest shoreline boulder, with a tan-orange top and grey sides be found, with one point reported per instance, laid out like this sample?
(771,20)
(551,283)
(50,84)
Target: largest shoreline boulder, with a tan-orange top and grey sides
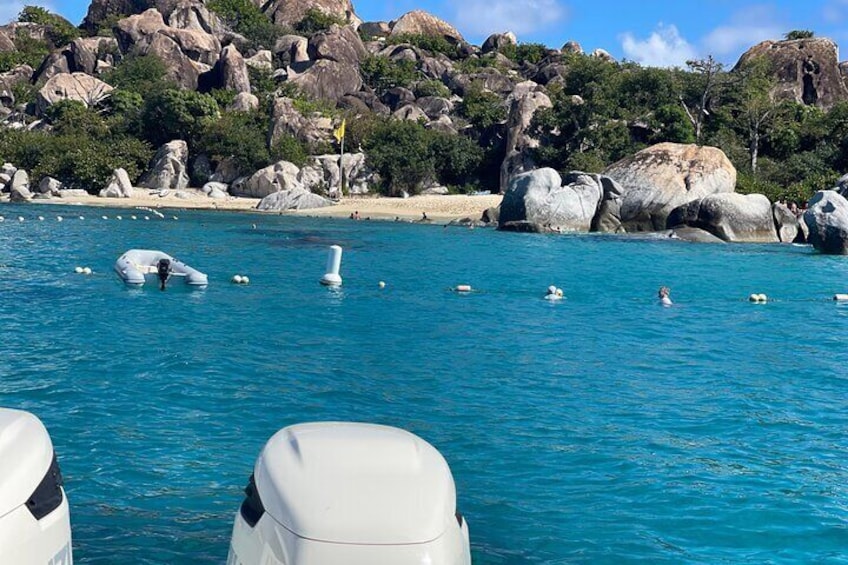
(662,177)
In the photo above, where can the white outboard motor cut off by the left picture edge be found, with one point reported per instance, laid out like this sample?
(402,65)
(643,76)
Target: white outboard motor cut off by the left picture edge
(35,525)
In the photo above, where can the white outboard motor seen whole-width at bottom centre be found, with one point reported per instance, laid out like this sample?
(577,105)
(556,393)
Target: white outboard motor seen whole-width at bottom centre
(335,493)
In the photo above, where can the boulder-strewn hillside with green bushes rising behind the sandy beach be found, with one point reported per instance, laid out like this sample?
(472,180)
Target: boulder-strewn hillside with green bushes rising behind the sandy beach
(250,98)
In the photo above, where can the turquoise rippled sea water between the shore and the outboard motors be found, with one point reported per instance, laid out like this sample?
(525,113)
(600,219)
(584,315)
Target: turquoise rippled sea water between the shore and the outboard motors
(601,429)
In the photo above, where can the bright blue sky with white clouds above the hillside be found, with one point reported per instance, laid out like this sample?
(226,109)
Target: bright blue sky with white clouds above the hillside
(651,32)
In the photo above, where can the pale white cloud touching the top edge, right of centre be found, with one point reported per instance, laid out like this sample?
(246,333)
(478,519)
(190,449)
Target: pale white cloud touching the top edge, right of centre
(484,17)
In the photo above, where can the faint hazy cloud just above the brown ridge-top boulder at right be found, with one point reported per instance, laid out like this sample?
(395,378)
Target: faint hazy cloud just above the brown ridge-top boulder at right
(746,28)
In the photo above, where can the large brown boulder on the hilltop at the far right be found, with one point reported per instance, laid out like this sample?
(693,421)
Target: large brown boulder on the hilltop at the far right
(807,70)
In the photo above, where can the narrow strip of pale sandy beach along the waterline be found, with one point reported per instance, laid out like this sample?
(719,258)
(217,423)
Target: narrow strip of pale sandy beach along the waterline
(437,208)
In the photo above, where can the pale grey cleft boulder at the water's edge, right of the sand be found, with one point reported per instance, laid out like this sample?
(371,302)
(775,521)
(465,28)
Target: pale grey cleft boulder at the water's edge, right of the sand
(540,198)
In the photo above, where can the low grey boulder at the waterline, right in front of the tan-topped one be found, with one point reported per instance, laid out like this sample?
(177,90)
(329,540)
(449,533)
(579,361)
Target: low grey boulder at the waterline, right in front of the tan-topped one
(729,216)
